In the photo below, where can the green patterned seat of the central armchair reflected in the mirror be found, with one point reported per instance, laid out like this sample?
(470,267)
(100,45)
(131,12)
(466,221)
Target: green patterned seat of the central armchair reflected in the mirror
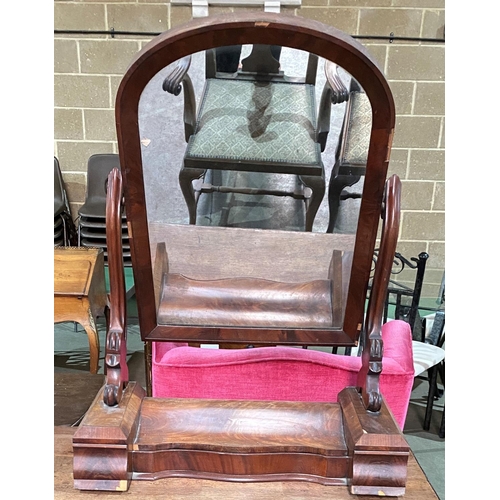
(268,123)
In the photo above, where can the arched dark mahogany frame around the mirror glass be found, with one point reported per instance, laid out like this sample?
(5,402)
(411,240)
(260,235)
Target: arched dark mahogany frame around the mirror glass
(248,28)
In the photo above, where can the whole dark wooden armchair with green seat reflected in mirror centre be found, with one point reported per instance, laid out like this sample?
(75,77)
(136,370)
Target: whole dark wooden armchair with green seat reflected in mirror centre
(248,120)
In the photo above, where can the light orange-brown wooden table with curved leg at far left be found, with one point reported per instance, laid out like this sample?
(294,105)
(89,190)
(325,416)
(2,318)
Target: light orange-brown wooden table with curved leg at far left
(80,291)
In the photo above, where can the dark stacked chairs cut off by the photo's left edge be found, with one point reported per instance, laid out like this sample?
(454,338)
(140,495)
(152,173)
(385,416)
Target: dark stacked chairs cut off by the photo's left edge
(64,227)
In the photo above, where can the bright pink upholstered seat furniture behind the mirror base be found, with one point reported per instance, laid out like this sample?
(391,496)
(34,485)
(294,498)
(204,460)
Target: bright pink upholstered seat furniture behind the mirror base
(280,373)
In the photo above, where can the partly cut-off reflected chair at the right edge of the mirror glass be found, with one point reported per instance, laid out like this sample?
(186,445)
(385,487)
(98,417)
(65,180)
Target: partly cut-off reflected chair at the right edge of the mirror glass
(351,152)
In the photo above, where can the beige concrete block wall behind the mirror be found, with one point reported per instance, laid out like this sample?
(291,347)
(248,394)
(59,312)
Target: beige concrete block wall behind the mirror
(88,70)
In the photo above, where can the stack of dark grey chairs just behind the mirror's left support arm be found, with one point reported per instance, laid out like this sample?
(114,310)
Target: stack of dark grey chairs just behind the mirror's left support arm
(92,215)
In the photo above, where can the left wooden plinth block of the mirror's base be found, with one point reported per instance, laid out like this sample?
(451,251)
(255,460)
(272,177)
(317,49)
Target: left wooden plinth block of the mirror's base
(102,443)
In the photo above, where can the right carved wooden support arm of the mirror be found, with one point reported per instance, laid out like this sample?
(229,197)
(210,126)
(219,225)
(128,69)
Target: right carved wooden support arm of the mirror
(371,341)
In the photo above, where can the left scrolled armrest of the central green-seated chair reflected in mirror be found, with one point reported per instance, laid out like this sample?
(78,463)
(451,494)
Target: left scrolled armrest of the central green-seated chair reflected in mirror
(174,82)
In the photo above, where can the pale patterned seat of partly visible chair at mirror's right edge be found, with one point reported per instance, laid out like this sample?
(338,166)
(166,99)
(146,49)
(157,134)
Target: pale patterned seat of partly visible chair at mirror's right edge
(359,129)
